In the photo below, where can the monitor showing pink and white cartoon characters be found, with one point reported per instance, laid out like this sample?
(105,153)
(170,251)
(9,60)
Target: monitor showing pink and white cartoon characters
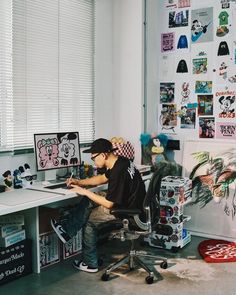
(57,150)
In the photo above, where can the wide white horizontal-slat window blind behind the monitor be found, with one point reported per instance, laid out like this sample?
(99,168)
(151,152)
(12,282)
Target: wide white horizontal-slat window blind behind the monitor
(52,69)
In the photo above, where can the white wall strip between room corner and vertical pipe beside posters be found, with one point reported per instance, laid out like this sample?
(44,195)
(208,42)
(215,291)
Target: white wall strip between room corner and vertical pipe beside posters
(128,70)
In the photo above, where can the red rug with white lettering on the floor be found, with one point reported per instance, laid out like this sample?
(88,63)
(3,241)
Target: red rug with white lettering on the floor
(214,251)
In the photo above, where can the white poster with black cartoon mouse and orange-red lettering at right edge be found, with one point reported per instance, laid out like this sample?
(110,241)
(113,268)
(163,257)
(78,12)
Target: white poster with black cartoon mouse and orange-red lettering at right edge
(225,104)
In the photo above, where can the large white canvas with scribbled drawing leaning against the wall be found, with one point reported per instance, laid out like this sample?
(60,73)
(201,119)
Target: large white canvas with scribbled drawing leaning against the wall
(212,168)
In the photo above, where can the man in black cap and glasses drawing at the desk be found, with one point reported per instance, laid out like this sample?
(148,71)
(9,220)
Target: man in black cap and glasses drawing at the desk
(125,189)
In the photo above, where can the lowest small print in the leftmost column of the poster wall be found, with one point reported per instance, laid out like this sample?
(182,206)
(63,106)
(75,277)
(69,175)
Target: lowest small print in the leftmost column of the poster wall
(168,118)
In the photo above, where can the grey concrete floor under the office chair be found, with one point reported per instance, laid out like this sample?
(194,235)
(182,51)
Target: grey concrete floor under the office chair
(186,274)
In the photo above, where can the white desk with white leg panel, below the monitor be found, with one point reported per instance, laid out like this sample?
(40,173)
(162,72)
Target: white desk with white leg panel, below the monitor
(28,202)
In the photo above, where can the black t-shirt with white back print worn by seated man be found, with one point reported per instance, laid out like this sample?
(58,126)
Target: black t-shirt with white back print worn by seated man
(125,185)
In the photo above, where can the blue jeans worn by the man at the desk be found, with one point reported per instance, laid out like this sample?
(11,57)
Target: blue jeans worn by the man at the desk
(77,219)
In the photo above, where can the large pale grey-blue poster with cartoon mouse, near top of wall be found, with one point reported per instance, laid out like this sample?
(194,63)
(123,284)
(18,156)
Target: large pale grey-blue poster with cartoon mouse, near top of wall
(202,25)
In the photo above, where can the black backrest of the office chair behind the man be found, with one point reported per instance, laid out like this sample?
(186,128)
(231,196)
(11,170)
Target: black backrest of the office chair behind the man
(152,198)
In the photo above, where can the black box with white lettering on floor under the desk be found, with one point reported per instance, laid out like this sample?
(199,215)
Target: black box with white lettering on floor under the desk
(15,261)
